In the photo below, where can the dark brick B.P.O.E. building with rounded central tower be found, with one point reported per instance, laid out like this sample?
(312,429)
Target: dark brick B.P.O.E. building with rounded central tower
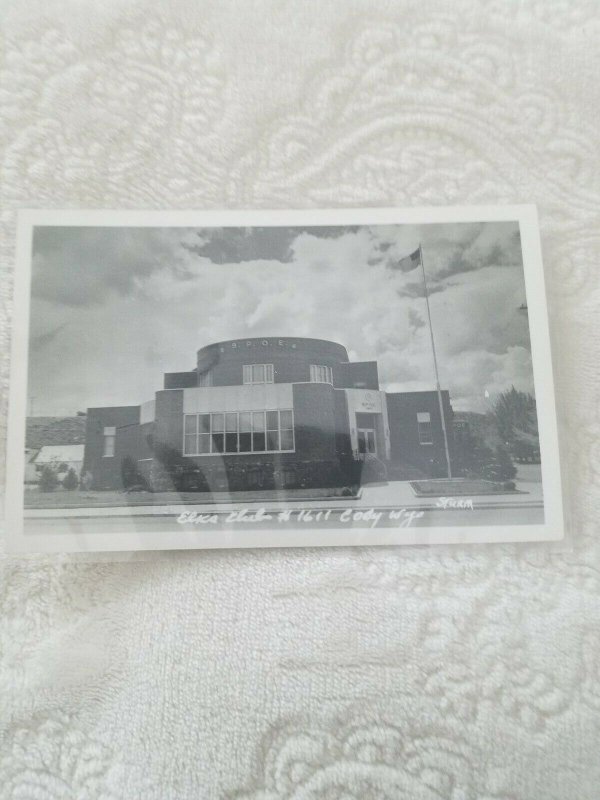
(271,413)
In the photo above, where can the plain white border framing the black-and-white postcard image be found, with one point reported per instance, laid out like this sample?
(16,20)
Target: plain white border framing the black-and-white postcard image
(122,540)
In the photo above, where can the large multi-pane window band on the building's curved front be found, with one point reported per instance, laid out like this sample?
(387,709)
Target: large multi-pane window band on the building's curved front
(238,432)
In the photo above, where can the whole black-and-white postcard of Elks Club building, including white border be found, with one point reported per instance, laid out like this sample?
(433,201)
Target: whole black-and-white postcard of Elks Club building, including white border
(281,379)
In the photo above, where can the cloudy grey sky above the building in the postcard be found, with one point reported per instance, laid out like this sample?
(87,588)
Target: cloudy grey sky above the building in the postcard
(114,308)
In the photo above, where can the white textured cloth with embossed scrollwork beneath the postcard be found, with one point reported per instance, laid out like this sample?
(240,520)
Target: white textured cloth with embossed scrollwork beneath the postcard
(467,674)
